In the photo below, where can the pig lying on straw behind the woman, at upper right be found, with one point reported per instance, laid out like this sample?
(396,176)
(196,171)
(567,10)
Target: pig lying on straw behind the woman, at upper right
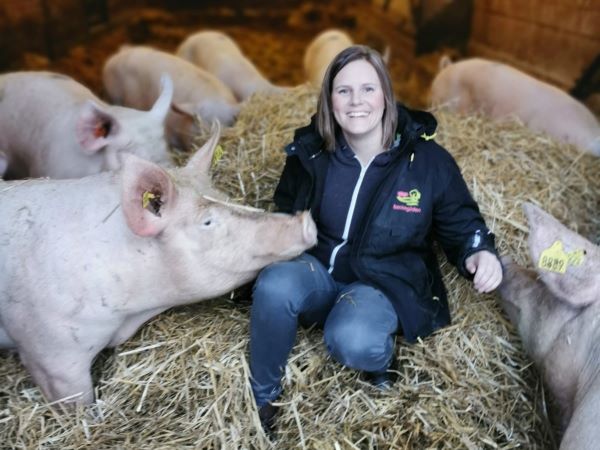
(499,91)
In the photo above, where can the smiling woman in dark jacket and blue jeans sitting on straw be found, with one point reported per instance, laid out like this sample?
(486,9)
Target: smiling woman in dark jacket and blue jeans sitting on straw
(380,191)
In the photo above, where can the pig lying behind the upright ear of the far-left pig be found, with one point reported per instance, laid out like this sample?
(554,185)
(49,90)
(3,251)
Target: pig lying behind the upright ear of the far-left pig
(131,78)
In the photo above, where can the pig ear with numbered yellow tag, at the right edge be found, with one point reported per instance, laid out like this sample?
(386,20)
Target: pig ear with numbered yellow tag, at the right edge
(566,262)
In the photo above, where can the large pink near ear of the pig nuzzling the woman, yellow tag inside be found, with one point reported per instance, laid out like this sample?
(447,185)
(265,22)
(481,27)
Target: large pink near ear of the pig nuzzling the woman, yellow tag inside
(147,196)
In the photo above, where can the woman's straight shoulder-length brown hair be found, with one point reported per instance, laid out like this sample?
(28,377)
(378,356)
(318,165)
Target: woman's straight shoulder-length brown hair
(326,123)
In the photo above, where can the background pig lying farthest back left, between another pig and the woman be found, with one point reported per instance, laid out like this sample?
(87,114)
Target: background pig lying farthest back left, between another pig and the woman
(218,54)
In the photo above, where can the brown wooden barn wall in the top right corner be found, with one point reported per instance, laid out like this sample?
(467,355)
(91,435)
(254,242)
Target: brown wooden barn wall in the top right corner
(554,40)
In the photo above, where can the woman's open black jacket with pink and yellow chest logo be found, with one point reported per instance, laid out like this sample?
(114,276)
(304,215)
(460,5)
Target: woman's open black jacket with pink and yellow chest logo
(422,198)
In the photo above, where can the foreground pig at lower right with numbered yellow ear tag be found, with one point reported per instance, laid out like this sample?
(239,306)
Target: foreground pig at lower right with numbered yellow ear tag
(556,309)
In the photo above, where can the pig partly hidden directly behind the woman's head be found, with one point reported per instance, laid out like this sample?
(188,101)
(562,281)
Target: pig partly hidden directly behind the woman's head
(321,51)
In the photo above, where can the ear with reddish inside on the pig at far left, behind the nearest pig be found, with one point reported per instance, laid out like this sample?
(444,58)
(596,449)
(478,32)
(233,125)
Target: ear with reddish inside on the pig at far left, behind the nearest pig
(94,127)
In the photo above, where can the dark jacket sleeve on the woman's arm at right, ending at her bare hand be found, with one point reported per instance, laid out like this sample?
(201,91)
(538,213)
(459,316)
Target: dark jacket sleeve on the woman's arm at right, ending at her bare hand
(457,223)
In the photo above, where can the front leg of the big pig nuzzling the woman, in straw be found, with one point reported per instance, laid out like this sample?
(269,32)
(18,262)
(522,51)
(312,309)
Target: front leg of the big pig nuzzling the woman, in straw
(61,374)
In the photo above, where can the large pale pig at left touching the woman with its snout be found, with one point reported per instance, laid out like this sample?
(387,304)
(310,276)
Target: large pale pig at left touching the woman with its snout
(84,263)
